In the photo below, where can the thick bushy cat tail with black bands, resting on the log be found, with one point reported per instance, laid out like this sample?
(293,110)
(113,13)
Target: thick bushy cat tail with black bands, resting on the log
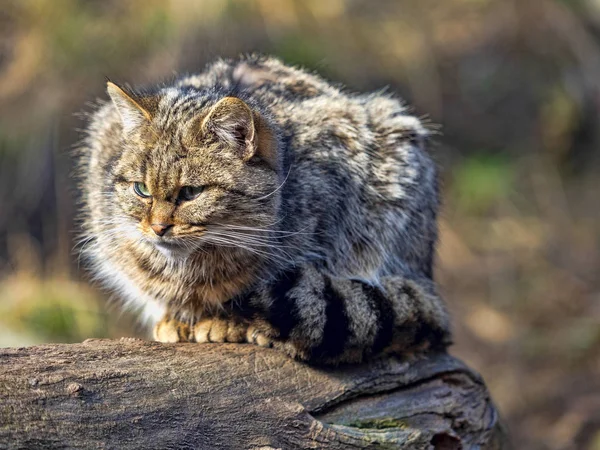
(322,319)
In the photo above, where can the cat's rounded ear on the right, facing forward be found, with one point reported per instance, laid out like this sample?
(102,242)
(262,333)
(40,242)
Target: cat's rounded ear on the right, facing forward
(232,121)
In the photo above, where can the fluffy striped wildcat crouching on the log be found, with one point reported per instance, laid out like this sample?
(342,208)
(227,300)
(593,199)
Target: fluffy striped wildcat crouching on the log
(257,202)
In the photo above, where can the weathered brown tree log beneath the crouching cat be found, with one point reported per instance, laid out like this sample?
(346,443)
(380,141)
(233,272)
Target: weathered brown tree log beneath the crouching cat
(132,394)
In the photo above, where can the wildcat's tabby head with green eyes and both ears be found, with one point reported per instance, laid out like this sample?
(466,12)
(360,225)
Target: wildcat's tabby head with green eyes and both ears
(194,169)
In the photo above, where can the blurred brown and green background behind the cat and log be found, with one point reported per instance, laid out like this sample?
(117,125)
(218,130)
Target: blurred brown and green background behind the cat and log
(515,85)
